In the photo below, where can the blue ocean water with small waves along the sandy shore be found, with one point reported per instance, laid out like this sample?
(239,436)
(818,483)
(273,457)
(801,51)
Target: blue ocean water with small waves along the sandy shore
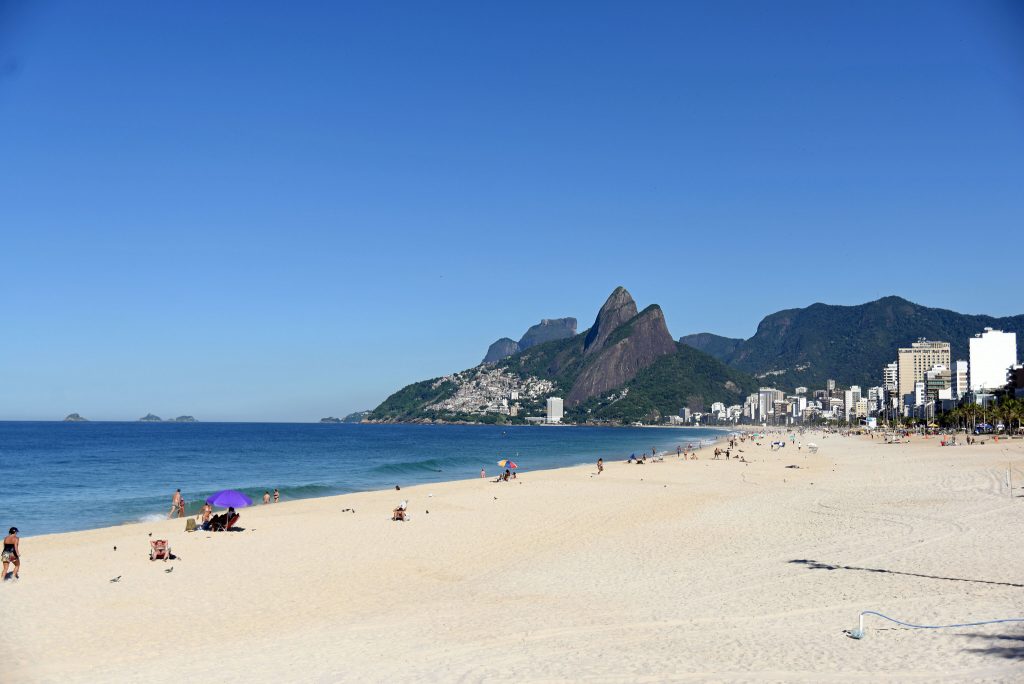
(65,477)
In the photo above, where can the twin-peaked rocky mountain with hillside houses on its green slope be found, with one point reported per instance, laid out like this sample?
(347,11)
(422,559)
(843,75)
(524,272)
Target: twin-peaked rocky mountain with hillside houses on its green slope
(625,367)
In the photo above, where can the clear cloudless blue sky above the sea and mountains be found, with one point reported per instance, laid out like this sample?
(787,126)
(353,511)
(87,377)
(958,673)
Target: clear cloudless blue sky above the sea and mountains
(284,211)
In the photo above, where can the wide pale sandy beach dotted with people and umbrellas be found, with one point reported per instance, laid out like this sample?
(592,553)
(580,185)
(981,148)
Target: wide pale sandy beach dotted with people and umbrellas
(707,570)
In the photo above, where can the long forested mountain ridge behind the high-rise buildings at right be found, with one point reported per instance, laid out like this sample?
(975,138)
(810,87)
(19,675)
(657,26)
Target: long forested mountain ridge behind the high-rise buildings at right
(851,345)
